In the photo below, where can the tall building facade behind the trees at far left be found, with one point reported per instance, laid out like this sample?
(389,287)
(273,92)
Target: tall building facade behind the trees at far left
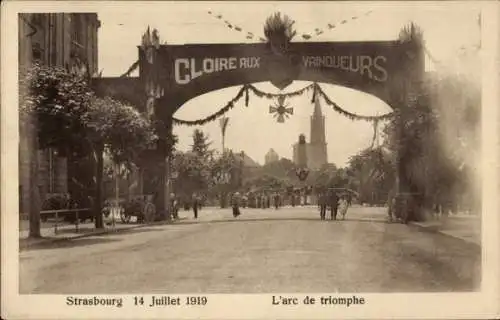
(65,40)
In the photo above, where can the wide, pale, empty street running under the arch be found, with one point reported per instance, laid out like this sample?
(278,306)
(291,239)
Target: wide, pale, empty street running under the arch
(285,250)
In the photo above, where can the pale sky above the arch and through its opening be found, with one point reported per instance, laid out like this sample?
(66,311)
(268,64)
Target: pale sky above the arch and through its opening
(451,32)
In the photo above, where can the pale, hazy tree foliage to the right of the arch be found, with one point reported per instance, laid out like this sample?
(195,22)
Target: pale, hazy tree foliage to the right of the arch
(439,134)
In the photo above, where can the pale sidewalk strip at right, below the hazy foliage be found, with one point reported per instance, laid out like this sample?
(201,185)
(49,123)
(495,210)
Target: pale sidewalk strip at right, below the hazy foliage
(460,226)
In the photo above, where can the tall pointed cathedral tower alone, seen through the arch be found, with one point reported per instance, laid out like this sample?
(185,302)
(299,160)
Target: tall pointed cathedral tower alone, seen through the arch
(317,155)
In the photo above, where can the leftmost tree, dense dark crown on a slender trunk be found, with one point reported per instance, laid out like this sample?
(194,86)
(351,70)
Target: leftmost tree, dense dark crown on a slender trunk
(49,100)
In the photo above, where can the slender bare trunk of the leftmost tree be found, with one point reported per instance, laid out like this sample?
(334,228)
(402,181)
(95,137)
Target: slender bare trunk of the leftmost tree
(35,205)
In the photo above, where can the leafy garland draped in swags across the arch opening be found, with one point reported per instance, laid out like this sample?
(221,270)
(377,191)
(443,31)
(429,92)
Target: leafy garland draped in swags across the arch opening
(317,90)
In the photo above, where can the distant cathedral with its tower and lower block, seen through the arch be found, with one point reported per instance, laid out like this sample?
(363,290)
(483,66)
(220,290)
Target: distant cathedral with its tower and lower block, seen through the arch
(314,153)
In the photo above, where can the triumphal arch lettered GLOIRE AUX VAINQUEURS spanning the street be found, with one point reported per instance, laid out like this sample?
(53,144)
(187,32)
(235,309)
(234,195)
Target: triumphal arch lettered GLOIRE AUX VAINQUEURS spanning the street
(171,75)
